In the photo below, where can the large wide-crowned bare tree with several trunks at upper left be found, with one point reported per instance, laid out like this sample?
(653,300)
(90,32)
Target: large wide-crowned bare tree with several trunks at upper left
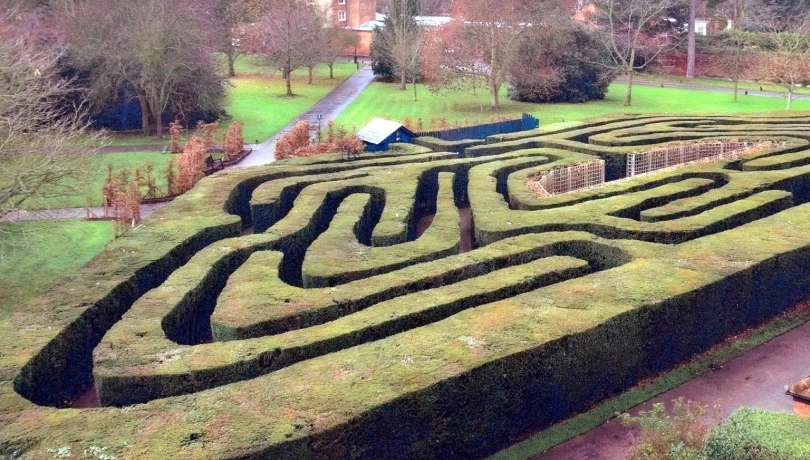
(149,50)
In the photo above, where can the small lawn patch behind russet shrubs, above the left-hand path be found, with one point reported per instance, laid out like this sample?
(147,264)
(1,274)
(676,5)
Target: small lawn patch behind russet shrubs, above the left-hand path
(95,184)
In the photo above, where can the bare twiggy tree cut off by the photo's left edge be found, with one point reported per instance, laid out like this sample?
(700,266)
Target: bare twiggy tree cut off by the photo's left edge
(43,140)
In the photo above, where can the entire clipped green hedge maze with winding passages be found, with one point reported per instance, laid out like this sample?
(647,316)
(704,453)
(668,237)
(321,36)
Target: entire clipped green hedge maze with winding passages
(321,308)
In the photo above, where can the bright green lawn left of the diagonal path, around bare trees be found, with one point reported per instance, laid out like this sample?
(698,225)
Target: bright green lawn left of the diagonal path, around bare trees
(257,98)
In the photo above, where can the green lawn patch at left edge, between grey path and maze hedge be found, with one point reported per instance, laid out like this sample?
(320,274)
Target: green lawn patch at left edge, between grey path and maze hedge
(35,255)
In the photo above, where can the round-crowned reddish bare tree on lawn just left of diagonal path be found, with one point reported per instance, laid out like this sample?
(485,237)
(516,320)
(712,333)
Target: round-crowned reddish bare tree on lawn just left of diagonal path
(288,36)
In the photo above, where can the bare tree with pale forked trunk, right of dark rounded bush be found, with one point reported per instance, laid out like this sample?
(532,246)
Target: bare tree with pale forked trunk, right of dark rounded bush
(636,32)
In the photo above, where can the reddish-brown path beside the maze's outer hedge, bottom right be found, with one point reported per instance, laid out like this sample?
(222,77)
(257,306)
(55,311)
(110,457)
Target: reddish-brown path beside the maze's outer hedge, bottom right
(757,378)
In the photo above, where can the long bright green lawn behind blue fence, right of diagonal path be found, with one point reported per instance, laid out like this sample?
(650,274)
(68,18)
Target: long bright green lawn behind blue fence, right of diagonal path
(386,100)
